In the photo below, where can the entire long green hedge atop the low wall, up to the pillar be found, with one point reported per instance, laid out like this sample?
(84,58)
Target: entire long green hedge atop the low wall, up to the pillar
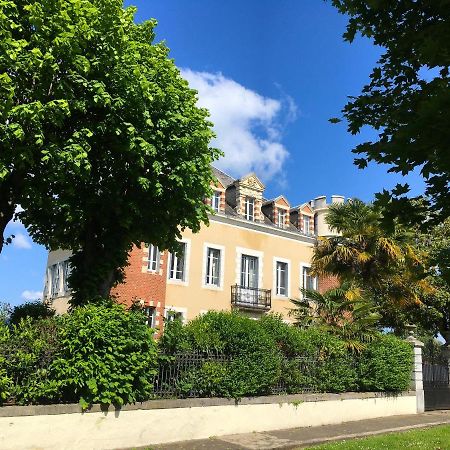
(104,354)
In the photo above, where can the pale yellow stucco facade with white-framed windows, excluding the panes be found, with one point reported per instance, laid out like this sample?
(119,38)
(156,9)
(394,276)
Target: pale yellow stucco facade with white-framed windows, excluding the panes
(236,237)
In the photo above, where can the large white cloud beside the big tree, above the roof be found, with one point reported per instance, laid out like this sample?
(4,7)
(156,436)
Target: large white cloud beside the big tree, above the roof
(248,126)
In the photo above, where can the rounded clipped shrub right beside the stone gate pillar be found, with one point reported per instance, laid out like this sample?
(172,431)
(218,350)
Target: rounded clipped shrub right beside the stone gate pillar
(385,365)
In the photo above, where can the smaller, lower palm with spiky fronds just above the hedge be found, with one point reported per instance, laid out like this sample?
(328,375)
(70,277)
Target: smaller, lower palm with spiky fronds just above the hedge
(343,312)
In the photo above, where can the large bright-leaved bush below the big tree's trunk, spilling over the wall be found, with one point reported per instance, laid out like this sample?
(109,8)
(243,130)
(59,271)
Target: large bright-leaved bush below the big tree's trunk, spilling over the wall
(107,355)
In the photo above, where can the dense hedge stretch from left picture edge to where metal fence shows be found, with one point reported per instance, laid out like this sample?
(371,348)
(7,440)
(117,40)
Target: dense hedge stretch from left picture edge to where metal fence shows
(96,354)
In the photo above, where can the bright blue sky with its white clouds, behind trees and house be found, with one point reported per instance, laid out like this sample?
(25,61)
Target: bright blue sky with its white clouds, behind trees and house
(272,72)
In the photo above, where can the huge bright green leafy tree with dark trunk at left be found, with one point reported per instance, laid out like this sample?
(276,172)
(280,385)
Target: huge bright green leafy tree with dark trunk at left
(101,141)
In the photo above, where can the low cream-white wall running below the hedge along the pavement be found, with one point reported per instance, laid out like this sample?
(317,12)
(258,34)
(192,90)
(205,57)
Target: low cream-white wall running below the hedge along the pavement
(141,427)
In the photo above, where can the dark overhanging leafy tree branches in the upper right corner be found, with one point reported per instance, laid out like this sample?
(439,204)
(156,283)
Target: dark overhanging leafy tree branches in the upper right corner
(408,97)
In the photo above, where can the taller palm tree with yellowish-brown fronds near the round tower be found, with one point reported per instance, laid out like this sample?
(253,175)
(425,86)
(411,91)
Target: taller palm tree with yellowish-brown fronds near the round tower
(385,264)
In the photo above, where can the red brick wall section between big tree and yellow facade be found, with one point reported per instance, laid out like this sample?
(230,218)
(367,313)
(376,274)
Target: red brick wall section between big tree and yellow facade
(141,284)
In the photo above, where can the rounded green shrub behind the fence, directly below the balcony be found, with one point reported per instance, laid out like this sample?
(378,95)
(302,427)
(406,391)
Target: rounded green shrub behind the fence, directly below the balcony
(255,361)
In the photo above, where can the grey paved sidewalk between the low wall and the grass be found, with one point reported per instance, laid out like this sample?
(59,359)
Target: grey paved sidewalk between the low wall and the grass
(304,437)
